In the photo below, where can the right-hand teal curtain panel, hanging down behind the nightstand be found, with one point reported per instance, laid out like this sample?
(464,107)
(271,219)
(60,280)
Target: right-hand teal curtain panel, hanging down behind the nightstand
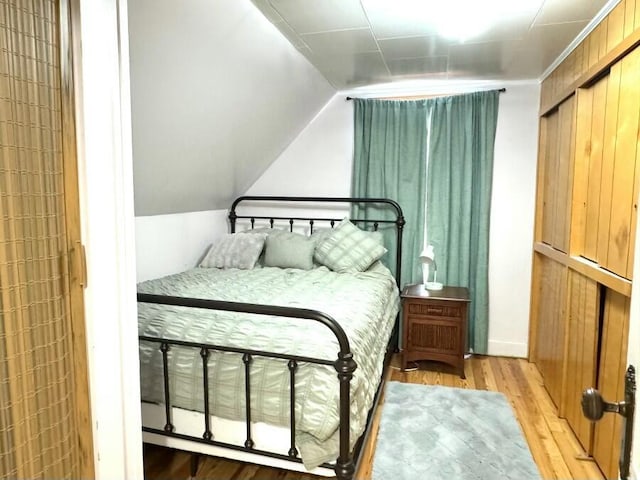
(459,175)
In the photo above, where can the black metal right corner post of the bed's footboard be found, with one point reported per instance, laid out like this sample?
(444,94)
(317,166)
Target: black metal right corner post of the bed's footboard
(345,366)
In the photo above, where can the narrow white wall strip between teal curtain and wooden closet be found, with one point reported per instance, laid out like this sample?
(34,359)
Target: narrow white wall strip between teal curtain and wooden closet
(512,218)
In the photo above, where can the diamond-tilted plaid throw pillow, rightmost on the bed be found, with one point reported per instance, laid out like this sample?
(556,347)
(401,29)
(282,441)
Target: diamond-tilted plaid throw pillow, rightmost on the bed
(349,249)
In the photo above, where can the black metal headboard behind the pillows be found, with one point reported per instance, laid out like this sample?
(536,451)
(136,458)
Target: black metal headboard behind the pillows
(318,203)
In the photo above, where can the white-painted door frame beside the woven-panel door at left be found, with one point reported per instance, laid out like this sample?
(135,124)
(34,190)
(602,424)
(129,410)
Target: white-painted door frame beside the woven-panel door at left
(105,178)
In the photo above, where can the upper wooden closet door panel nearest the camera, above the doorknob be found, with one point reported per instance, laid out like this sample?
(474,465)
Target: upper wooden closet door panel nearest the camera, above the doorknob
(606,177)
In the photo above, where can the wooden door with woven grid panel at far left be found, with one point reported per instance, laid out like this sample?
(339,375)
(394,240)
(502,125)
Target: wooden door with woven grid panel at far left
(45,425)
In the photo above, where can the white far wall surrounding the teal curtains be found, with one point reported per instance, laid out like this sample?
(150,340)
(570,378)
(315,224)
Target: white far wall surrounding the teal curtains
(319,162)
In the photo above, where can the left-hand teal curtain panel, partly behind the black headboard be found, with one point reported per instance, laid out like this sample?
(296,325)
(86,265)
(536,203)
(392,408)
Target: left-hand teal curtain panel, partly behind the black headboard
(390,149)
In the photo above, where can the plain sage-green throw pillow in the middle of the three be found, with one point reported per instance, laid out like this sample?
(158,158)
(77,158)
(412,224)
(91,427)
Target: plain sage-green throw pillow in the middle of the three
(289,250)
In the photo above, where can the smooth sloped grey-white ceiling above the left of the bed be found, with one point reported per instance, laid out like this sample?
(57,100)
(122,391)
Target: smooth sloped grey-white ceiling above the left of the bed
(217,94)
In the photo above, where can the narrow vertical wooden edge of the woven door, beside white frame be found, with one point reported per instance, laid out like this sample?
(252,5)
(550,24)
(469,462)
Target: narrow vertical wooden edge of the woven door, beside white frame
(84,438)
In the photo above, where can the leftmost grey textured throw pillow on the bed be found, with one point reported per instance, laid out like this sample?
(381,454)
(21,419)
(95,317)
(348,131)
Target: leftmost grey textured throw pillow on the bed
(235,250)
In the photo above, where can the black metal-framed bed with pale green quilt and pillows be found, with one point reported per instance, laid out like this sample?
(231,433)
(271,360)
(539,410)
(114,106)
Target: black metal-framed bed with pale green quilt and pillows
(270,359)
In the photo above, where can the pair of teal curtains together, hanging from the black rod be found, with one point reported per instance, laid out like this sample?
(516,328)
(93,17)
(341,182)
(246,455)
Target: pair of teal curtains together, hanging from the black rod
(435,157)
